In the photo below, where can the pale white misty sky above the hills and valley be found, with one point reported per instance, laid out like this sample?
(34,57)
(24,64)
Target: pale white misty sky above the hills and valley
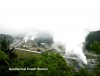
(68,20)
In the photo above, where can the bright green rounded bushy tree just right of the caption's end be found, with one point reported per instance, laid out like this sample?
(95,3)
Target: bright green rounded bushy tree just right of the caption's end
(56,64)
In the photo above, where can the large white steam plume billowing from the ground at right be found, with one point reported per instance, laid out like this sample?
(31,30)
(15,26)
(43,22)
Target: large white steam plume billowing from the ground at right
(73,40)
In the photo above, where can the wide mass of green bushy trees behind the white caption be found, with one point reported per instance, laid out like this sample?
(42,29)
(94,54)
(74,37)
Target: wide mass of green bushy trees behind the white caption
(54,62)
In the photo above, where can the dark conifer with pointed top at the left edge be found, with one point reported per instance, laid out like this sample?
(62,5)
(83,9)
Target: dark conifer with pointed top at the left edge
(7,58)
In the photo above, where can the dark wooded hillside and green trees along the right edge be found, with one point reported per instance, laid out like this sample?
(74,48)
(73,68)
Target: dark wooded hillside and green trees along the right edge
(93,45)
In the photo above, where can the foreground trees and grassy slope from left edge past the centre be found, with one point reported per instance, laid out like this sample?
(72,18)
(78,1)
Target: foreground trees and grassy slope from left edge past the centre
(53,62)
